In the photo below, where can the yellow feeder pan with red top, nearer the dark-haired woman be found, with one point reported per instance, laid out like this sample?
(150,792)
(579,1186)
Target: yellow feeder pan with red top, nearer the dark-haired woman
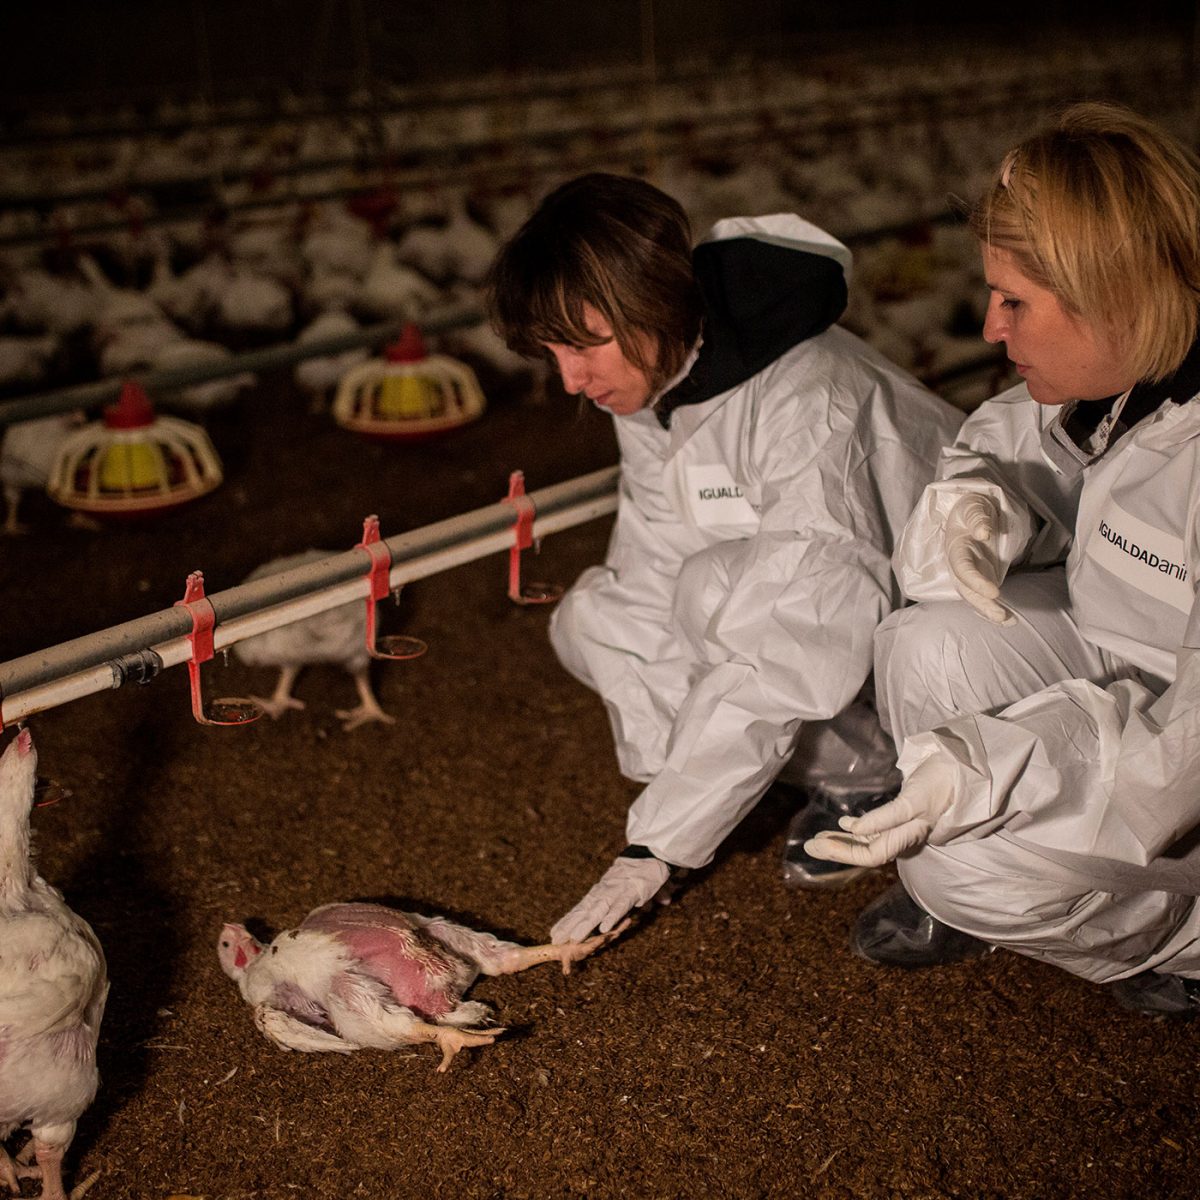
(409,394)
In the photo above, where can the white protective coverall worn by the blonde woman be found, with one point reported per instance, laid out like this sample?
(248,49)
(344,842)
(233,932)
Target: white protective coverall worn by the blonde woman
(1075,831)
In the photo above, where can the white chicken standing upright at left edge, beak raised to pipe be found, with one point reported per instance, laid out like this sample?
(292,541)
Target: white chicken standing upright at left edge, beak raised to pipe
(53,987)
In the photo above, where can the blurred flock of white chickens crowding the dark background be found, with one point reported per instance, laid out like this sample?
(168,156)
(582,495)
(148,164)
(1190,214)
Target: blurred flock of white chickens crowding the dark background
(281,253)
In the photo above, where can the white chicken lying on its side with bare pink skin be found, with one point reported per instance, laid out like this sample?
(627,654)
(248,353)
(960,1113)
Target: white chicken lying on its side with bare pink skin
(357,976)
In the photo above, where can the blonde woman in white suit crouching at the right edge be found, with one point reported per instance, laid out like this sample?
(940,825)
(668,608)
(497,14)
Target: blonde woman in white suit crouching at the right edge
(1046,691)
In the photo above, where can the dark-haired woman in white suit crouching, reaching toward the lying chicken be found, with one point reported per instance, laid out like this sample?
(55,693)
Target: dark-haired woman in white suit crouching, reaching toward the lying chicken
(770,460)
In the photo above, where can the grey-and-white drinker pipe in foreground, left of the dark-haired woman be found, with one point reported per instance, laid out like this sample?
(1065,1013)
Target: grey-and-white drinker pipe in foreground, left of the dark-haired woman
(139,650)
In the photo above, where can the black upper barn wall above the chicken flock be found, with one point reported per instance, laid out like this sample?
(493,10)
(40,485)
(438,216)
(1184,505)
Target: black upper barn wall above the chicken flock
(141,51)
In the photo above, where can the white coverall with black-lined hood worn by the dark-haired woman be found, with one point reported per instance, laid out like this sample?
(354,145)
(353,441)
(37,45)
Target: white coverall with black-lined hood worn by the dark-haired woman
(749,565)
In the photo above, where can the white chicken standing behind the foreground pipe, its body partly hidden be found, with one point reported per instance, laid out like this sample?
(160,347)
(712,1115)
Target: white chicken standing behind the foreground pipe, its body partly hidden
(337,637)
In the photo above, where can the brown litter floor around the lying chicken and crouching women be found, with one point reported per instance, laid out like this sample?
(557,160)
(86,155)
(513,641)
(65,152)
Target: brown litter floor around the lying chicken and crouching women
(730,1047)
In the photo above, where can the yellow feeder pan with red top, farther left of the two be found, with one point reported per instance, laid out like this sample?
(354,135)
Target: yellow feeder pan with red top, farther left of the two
(134,461)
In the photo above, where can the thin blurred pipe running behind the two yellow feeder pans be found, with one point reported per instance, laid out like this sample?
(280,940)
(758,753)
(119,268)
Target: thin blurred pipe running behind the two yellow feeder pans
(92,395)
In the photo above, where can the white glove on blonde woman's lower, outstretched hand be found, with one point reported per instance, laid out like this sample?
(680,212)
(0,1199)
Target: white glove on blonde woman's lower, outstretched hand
(880,836)
